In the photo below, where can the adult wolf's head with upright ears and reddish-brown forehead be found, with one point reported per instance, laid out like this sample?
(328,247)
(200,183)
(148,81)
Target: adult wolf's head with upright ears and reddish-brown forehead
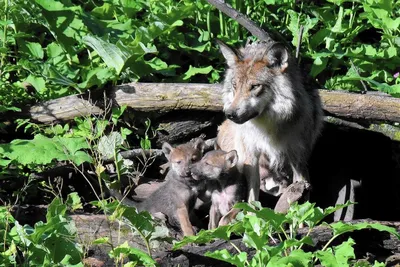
(257,80)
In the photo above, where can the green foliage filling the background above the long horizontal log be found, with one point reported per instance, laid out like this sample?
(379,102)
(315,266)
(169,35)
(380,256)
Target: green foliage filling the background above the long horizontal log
(63,47)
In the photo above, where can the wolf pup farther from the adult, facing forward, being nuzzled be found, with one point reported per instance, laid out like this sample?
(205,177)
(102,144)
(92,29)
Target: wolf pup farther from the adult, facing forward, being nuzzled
(176,197)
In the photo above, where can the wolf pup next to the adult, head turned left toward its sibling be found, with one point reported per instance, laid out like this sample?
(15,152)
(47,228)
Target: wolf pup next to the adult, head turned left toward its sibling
(226,185)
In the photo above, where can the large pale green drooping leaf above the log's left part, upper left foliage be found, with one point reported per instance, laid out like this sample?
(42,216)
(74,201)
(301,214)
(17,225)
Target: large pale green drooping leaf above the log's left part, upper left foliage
(114,56)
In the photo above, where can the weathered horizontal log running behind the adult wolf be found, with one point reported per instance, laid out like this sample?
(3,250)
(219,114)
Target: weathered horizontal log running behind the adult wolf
(165,97)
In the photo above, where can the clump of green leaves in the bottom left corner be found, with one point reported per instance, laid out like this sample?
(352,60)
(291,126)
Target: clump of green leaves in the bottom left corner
(46,244)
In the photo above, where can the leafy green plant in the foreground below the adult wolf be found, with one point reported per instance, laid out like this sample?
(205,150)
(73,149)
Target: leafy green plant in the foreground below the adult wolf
(260,227)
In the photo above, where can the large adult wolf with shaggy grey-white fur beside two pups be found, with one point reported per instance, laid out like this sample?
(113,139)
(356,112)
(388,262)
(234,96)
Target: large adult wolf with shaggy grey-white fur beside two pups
(269,111)
